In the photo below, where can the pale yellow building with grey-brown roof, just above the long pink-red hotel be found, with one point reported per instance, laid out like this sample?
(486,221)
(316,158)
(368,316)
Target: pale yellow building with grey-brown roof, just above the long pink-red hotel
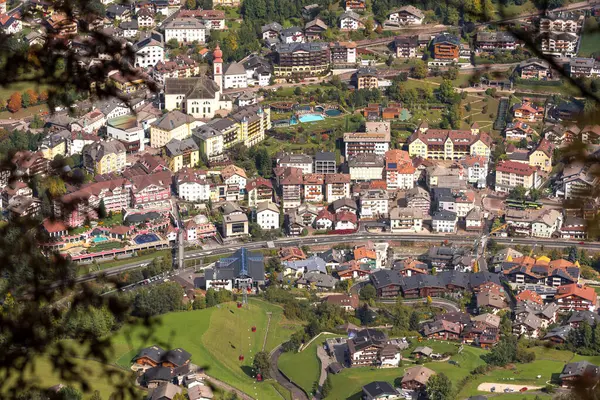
(104,157)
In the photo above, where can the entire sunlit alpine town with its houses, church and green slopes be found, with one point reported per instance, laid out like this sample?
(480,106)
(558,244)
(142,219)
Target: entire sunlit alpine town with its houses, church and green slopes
(422,180)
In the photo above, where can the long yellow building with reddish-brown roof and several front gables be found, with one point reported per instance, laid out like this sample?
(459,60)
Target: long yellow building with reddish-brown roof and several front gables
(446,144)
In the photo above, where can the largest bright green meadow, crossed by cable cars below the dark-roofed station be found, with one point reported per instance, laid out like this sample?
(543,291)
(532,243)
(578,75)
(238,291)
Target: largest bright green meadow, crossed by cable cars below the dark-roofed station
(216,337)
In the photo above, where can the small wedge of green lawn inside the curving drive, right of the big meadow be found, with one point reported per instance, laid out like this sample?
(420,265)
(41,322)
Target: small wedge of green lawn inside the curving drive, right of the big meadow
(304,368)
